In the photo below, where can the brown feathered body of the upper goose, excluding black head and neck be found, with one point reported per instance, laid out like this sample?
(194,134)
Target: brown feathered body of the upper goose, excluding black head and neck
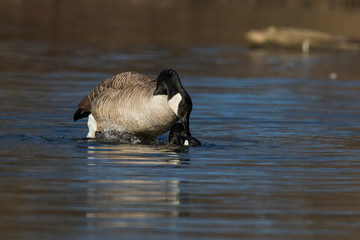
(126,102)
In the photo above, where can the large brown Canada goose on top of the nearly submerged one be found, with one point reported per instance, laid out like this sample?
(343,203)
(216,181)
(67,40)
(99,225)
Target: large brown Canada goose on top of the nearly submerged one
(141,105)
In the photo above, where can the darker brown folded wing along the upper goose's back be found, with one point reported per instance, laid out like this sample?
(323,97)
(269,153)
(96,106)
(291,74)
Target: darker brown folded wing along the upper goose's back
(117,83)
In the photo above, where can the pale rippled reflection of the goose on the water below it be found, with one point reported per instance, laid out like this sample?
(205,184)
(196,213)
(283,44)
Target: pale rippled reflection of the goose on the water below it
(123,193)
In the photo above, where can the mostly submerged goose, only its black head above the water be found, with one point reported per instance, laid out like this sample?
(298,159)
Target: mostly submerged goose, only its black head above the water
(179,136)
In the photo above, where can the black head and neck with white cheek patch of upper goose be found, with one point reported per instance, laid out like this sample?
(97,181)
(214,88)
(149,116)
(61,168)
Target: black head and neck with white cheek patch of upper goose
(168,83)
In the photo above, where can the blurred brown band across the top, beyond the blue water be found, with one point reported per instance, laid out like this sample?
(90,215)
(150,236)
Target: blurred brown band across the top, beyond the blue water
(114,23)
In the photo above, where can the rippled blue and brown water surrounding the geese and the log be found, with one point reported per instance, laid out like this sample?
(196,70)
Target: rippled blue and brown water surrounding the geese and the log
(280,129)
